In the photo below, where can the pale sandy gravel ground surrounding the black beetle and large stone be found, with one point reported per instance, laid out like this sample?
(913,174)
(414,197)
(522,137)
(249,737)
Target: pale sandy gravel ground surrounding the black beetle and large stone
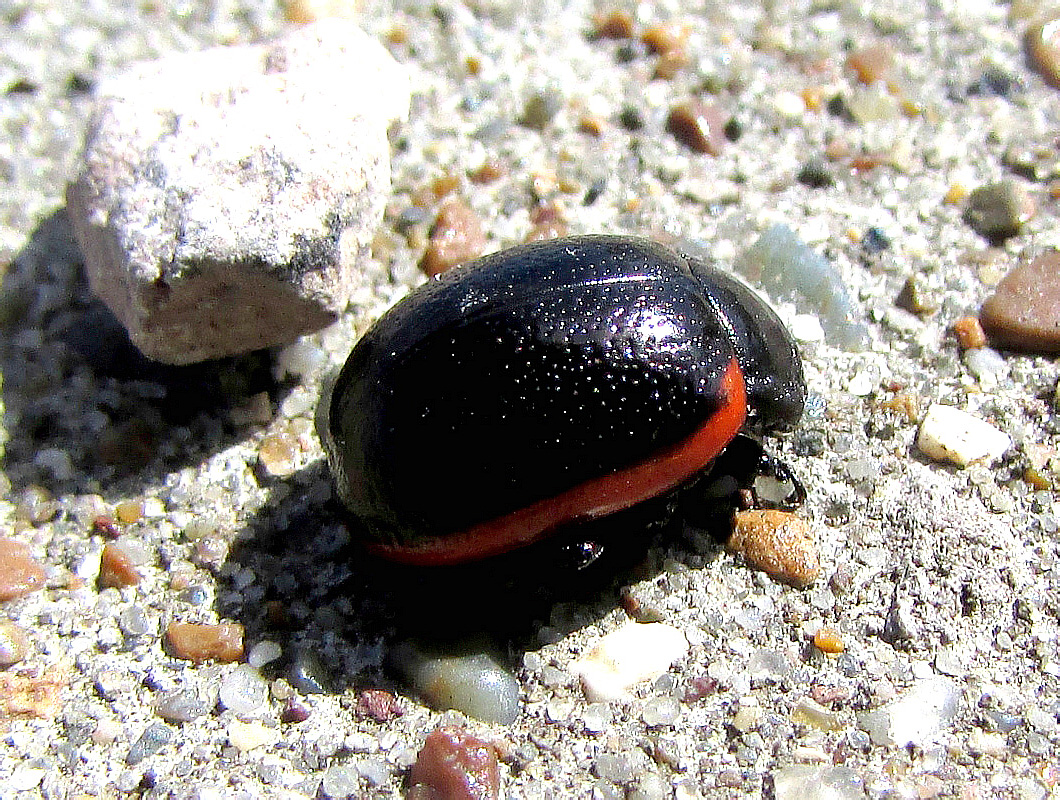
(933,576)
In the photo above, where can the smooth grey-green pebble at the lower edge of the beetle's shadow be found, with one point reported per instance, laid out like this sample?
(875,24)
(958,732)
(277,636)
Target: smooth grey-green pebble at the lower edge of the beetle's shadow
(472,683)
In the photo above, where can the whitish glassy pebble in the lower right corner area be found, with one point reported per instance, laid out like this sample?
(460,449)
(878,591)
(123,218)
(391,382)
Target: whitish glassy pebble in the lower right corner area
(914,718)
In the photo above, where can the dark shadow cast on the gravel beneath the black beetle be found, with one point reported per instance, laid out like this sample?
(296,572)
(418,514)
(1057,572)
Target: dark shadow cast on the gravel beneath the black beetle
(324,594)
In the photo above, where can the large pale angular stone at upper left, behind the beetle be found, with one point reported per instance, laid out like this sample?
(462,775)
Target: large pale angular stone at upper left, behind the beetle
(226,197)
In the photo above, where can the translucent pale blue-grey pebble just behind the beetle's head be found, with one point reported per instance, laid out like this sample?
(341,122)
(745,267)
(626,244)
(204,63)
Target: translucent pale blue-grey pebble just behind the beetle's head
(786,266)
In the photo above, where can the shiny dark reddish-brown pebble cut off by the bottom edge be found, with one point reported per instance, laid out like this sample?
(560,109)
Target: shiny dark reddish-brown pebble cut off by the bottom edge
(456,766)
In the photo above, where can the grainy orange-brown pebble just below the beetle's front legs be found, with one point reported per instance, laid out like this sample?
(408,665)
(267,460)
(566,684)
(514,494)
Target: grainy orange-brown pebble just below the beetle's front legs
(778,543)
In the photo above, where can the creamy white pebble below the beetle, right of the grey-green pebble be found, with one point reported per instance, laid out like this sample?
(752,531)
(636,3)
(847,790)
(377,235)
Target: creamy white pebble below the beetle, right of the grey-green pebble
(635,653)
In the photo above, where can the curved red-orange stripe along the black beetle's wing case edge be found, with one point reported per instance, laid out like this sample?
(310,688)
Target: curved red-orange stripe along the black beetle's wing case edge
(594,499)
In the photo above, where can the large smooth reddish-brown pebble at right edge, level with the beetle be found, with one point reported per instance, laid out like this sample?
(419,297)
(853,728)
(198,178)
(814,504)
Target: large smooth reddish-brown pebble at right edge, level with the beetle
(1024,312)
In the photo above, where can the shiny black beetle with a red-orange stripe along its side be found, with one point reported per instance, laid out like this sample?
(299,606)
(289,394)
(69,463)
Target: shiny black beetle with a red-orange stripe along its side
(545,386)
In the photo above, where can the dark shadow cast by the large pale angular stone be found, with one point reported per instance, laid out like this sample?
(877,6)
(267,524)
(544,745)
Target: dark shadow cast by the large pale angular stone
(76,387)
